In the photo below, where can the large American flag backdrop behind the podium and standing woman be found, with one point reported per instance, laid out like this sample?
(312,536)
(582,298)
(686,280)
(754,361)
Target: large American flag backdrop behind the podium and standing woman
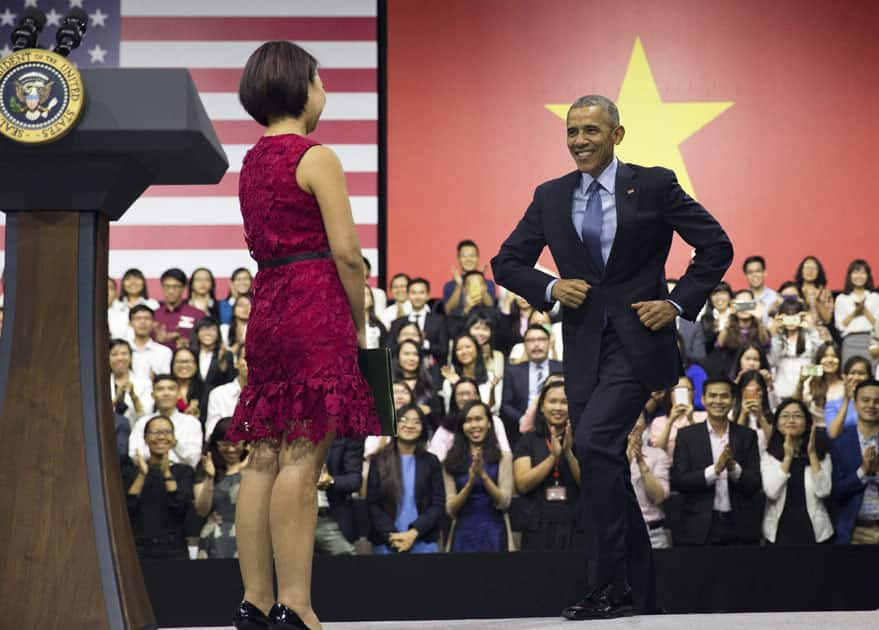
(200,226)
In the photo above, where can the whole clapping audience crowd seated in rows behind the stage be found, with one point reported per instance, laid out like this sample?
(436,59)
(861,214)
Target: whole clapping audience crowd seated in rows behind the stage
(770,436)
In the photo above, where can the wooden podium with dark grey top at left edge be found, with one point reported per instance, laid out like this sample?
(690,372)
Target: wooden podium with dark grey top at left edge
(67,557)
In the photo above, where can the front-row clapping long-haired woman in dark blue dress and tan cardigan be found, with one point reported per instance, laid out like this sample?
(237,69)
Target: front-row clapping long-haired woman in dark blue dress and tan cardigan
(478,479)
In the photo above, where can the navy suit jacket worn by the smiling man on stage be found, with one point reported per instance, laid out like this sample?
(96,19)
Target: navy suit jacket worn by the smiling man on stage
(651,206)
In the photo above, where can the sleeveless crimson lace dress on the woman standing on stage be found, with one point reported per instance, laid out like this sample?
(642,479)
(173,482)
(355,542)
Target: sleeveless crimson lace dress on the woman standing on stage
(302,374)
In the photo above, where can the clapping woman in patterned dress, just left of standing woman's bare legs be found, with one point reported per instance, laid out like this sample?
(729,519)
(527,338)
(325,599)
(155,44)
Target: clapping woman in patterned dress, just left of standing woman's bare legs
(217,479)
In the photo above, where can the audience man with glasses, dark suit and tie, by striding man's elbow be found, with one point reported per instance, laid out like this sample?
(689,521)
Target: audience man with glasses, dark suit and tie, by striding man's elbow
(522,381)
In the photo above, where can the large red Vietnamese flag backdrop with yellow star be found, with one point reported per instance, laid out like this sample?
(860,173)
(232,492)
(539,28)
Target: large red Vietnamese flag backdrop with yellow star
(766,111)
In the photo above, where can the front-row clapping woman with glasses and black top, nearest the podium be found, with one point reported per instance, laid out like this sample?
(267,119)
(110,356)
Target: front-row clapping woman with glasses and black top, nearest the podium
(159,494)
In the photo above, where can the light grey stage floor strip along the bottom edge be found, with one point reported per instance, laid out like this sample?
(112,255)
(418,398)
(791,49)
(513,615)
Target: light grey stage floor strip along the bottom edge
(850,620)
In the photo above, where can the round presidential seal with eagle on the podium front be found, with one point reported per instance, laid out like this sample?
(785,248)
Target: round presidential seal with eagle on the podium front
(41,96)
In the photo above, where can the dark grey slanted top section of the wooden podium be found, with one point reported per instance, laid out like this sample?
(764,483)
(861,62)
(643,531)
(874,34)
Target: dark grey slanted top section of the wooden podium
(139,127)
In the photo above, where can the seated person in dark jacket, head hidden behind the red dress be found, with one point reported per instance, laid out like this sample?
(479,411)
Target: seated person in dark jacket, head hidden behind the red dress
(340,478)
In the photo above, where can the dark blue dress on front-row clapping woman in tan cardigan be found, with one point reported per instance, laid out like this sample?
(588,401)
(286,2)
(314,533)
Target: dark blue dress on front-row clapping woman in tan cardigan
(479,525)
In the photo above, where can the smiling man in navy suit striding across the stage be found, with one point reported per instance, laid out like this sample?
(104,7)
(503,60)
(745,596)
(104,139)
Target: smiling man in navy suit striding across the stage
(609,226)
